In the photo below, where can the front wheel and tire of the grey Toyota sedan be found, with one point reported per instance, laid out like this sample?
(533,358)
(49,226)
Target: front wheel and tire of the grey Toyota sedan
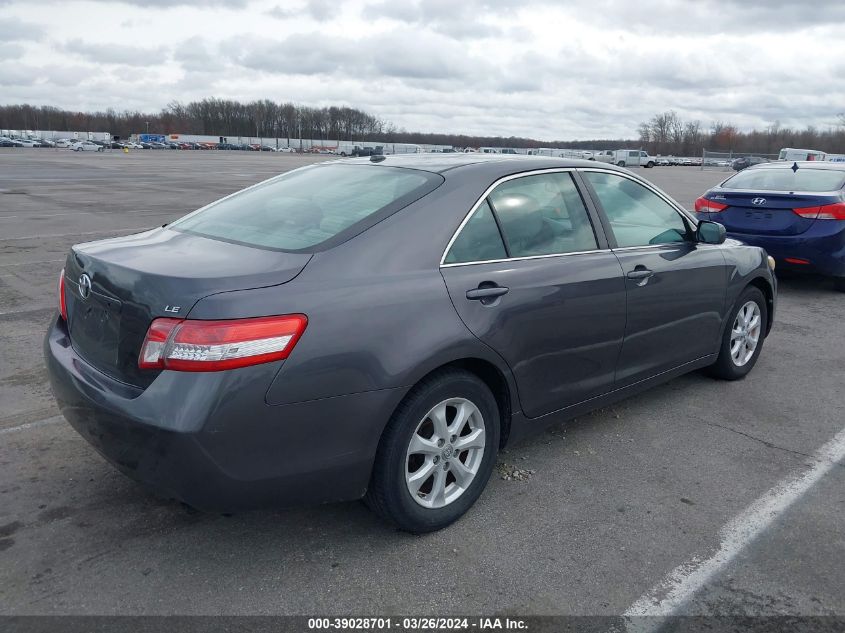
(727,366)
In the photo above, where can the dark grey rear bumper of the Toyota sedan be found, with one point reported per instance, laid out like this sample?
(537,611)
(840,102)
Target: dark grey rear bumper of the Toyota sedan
(211,441)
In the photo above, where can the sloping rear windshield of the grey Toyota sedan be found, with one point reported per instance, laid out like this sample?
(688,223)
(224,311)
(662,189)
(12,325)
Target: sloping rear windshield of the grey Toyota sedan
(307,207)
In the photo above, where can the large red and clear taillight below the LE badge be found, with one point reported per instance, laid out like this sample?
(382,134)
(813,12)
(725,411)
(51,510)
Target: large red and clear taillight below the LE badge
(192,345)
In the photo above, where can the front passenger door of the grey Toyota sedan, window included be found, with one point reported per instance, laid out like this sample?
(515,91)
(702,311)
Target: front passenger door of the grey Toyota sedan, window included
(675,286)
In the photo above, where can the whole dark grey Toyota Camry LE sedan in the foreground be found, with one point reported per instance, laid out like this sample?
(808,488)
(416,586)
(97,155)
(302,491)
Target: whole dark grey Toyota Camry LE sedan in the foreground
(215,358)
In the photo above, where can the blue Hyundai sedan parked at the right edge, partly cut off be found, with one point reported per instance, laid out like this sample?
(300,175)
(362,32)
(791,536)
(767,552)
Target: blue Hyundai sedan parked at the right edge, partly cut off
(796,211)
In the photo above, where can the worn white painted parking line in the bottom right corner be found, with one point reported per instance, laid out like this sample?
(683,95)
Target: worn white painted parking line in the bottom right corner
(677,587)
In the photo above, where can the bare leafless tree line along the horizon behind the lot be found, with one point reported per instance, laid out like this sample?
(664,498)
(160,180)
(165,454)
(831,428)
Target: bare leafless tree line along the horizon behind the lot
(665,133)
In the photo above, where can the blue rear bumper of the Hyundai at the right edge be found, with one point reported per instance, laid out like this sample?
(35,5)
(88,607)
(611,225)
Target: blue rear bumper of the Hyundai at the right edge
(822,245)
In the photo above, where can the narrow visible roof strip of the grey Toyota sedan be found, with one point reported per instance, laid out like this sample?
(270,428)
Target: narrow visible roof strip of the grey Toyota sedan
(439,163)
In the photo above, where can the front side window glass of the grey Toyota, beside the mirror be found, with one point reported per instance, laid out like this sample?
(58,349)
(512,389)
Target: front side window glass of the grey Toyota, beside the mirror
(638,216)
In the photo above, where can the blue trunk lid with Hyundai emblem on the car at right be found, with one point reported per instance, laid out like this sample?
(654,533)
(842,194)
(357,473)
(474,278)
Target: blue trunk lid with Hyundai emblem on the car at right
(767,213)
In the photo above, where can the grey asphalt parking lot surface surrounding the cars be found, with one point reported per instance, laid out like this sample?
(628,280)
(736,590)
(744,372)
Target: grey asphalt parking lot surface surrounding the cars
(615,501)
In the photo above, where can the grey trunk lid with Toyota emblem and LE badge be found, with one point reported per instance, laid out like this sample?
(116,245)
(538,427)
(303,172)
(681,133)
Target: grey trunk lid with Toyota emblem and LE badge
(134,279)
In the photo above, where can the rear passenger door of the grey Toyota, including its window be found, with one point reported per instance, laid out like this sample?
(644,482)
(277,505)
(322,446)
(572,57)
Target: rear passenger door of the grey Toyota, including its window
(531,277)
